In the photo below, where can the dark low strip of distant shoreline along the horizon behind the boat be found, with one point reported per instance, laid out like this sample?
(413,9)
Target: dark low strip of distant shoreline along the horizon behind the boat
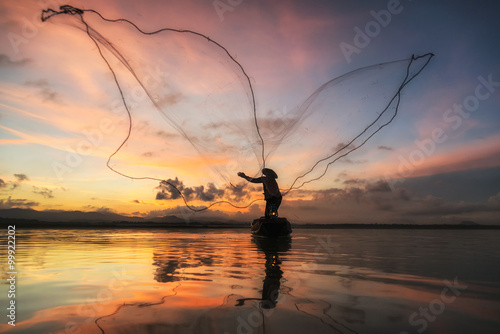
(37,224)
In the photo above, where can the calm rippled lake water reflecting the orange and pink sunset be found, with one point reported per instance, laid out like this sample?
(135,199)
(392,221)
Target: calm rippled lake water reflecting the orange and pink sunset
(225,281)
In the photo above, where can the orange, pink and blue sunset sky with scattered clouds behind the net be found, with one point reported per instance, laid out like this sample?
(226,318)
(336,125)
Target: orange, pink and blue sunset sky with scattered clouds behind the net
(61,115)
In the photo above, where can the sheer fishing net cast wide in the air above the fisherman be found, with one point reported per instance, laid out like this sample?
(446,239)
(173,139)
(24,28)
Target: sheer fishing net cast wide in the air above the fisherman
(195,85)
